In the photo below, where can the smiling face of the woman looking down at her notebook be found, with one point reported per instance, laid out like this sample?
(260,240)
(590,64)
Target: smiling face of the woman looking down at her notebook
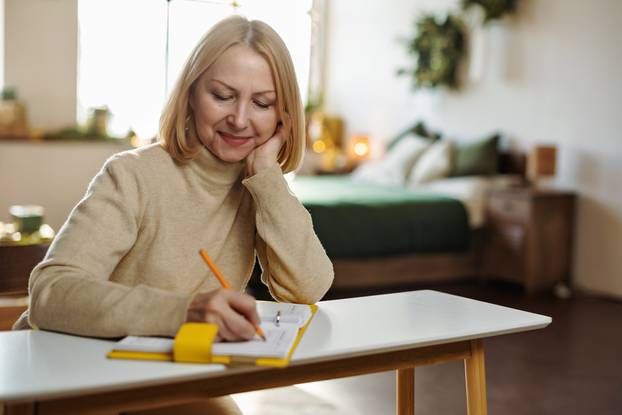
(234,104)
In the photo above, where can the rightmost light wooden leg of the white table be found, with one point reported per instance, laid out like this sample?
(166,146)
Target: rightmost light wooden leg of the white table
(475,377)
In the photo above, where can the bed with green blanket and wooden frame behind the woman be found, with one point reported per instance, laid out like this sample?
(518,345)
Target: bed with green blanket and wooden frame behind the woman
(387,236)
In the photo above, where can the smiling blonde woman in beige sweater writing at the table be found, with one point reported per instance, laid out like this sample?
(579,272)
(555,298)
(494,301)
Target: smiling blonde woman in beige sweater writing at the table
(126,261)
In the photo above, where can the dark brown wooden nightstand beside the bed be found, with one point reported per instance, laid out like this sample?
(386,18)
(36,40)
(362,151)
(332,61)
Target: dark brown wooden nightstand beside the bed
(529,236)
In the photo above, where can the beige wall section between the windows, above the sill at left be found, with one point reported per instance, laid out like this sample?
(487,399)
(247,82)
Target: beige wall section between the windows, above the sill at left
(41,47)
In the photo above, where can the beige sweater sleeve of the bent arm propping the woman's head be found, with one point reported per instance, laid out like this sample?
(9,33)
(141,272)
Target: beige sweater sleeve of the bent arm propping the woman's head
(294,264)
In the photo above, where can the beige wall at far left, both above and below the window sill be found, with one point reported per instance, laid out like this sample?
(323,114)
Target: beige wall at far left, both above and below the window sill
(40,60)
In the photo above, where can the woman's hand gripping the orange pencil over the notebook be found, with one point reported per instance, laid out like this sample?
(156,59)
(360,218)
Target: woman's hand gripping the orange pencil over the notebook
(235,313)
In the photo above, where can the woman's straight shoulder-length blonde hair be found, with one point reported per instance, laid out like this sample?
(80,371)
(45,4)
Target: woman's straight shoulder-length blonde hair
(177,131)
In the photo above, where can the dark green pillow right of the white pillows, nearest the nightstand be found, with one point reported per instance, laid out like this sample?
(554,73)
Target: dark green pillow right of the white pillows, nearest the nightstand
(478,158)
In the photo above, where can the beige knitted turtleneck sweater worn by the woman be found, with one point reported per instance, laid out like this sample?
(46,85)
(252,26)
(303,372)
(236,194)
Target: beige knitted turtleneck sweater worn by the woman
(126,261)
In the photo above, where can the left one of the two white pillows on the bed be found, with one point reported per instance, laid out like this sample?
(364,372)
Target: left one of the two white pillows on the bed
(393,168)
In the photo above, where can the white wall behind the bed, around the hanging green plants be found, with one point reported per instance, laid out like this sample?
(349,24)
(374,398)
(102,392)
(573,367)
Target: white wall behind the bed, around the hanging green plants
(551,75)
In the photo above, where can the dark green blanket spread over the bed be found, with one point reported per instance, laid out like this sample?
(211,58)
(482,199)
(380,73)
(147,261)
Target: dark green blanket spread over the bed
(355,220)
